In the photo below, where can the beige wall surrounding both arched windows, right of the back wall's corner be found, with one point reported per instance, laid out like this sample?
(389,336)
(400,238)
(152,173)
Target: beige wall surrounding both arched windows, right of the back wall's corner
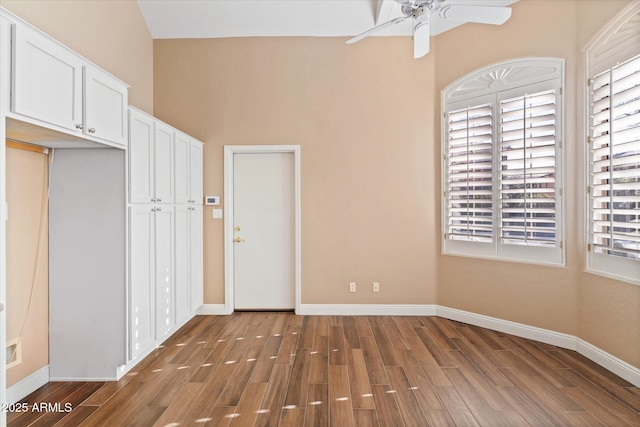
(601,311)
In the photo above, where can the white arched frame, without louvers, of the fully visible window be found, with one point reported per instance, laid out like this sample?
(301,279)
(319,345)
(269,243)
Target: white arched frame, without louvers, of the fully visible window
(495,82)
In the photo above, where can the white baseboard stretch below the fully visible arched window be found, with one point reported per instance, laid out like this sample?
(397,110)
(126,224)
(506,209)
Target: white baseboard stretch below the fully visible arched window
(508,327)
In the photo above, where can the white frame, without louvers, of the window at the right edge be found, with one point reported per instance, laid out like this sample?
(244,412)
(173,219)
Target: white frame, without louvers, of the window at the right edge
(596,62)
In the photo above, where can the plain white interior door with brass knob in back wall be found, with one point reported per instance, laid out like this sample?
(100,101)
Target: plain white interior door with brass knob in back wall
(263,220)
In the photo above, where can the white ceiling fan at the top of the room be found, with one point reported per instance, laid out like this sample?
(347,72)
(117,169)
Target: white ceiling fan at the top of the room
(421,12)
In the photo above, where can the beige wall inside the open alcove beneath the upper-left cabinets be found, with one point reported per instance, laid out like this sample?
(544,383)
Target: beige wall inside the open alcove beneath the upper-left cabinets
(26,196)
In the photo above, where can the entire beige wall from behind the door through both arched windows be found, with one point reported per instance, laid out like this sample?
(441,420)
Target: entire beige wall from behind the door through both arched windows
(366,117)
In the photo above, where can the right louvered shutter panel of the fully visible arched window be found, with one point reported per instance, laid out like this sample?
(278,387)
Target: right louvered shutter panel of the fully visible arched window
(528,170)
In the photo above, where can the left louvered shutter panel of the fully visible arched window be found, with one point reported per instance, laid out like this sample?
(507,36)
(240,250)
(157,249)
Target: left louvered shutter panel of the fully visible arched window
(469,185)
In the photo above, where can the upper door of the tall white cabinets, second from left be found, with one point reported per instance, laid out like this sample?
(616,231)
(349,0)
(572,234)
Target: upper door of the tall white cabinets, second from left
(163,163)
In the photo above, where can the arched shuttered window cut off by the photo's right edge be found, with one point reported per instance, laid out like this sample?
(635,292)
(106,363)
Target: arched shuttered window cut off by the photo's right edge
(613,228)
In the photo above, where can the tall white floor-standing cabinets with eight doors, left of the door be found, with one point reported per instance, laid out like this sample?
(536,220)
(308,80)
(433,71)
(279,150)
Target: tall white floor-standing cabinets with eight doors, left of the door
(165,279)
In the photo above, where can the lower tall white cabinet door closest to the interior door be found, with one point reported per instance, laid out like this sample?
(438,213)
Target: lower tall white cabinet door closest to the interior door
(196,257)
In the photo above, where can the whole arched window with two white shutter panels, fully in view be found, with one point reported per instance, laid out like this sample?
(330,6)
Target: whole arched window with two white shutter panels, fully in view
(502,162)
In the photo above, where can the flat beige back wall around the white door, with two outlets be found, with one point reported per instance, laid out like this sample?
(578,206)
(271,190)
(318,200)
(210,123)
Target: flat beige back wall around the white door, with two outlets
(364,117)
